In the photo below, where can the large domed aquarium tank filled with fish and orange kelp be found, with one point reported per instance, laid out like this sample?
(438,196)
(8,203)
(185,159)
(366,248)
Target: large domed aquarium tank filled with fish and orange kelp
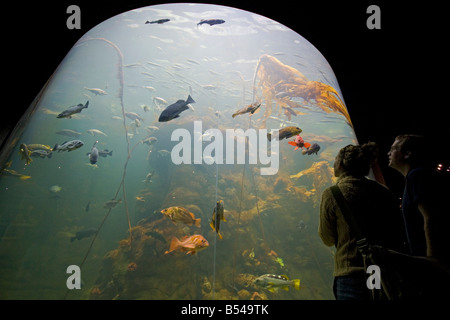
(179,151)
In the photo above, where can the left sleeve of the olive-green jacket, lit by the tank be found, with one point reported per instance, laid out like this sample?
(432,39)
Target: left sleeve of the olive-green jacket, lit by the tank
(327,219)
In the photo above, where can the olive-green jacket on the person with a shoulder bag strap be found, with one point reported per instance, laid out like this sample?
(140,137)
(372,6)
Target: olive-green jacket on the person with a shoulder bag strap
(377,212)
